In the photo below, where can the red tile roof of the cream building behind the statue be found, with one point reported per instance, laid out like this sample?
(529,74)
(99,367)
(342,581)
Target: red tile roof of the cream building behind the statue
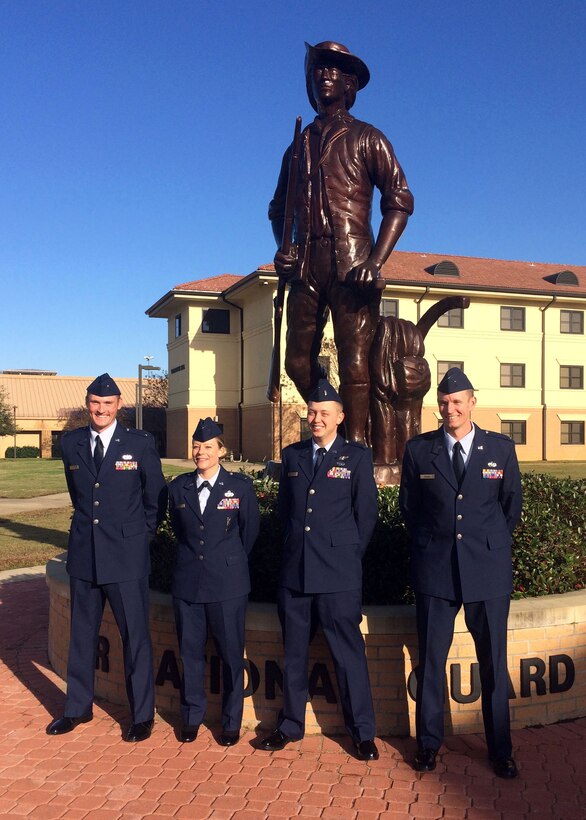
(406,267)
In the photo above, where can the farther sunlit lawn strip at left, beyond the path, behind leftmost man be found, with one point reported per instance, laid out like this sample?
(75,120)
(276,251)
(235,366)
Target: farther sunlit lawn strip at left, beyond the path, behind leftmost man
(30,477)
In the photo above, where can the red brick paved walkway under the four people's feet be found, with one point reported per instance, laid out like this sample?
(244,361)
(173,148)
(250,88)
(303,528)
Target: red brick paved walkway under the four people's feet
(92,773)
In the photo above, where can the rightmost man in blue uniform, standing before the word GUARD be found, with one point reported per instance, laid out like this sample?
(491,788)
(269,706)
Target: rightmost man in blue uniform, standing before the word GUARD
(461,499)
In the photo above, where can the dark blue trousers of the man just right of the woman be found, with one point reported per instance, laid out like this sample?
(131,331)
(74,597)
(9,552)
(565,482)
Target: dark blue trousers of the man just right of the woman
(339,614)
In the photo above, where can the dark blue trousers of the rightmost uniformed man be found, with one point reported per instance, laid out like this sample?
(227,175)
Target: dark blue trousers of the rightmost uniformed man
(487,623)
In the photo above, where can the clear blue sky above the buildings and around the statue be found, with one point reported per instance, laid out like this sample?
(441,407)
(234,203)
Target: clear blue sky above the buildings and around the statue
(141,141)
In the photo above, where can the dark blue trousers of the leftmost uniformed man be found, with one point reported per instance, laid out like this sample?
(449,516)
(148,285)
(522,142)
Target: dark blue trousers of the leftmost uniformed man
(129,601)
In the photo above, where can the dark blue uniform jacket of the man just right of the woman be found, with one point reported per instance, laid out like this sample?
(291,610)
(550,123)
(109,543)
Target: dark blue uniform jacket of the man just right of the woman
(327,521)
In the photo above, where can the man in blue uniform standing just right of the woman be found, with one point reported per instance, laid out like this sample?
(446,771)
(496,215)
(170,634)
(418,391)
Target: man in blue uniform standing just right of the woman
(328,508)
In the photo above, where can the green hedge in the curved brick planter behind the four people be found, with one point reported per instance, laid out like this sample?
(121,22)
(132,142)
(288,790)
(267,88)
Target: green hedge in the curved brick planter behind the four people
(549,551)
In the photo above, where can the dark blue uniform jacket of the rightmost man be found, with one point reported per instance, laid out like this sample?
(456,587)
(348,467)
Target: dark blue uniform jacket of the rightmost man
(465,532)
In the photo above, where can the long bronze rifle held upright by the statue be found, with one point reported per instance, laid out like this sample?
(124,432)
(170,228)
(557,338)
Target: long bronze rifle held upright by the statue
(274,388)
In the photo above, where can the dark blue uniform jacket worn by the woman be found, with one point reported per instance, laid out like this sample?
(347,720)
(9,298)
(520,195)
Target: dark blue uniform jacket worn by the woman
(212,560)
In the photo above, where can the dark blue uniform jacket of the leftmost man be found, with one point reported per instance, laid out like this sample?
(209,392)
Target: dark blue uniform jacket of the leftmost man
(116,512)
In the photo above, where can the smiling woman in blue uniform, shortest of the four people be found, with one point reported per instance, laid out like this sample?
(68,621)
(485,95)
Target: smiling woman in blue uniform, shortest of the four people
(215,516)
